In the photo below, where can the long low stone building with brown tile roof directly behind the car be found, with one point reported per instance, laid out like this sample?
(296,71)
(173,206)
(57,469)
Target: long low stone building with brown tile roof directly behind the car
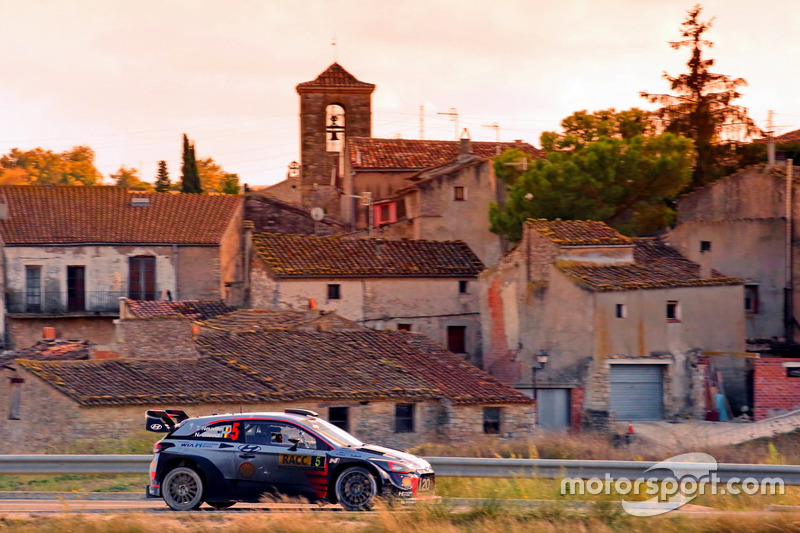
(394,388)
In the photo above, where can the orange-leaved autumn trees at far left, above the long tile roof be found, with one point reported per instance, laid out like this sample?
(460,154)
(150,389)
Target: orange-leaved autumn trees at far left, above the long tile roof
(45,167)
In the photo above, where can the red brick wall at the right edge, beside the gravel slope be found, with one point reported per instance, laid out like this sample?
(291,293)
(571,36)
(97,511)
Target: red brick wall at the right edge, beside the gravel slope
(774,393)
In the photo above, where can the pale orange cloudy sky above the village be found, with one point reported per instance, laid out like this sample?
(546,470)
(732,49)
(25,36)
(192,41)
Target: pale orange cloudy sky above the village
(128,78)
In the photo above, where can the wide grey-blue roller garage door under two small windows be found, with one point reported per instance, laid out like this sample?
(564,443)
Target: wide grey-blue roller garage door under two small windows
(637,392)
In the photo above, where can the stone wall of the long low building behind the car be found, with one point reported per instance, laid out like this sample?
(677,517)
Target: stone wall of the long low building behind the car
(39,431)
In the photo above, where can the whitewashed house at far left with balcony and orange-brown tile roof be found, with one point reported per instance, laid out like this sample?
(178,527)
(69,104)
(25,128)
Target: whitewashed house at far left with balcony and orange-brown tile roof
(69,254)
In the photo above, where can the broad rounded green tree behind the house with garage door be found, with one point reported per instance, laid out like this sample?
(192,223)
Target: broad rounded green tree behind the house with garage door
(625,182)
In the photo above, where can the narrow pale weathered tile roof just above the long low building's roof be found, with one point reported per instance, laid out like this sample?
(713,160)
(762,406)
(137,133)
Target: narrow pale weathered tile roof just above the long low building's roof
(243,320)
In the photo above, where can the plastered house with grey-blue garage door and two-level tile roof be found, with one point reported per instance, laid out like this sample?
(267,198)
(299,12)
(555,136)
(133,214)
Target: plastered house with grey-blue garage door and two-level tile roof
(623,321)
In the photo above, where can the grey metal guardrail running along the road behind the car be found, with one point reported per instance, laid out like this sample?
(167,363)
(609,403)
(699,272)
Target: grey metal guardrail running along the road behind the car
(444,467)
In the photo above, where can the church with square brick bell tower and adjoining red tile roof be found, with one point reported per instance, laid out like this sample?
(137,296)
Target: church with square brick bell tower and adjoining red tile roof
(341,162)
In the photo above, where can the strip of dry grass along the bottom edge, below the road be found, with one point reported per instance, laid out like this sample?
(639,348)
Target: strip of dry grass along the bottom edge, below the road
(423,519)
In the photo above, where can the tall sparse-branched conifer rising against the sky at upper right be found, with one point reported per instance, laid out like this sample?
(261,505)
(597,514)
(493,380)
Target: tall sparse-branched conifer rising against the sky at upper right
(701,107)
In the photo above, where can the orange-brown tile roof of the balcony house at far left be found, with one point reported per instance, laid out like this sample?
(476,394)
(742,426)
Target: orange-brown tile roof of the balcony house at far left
(103,214)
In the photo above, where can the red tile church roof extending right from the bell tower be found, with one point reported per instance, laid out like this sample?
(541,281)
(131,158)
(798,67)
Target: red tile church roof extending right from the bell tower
(417,154)
